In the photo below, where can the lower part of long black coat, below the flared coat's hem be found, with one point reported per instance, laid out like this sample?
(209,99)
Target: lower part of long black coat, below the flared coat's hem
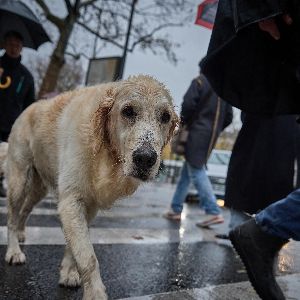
(261,168)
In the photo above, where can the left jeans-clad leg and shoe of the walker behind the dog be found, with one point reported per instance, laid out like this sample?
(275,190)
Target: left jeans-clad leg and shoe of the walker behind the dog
(180,194)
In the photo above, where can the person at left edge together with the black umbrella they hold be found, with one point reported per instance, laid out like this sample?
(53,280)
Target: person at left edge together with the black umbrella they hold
(19,28)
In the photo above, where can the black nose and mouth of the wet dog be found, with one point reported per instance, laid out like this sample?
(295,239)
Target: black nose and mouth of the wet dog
(144,158)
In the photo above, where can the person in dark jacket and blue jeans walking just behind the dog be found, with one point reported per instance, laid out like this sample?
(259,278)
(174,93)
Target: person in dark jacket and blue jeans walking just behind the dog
(206,115)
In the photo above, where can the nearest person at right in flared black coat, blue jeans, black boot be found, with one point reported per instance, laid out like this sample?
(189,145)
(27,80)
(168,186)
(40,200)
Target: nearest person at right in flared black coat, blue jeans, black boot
(255,47)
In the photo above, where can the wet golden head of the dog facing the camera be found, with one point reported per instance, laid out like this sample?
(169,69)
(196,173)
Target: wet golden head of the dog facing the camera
(134,121)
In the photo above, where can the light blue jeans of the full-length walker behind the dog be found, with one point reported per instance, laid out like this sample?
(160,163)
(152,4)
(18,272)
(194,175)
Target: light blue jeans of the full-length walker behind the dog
(203,186)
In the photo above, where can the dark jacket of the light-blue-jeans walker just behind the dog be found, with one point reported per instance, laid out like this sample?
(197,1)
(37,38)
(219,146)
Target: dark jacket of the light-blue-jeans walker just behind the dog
(206,116)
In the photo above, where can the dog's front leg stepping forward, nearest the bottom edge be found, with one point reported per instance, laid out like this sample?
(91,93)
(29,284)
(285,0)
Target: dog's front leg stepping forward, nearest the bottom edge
(75,227)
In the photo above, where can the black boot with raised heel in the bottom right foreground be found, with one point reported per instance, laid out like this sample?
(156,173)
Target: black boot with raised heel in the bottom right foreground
(258,251)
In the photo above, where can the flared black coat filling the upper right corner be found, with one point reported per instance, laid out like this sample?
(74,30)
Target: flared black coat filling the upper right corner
(246,66)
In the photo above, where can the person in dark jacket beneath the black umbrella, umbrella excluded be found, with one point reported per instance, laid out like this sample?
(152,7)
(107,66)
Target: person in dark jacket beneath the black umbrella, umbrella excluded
(16,87)
